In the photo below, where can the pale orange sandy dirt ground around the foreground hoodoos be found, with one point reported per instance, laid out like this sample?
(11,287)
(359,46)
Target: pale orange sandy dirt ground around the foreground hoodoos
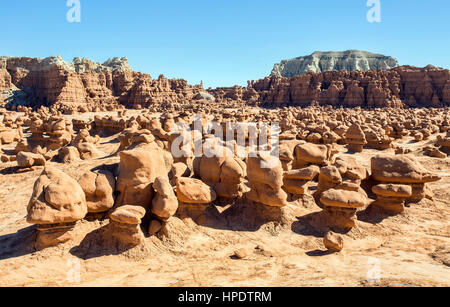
(411,249)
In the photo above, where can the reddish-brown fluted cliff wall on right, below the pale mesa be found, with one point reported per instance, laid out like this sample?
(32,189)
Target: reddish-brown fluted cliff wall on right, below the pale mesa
(403,86)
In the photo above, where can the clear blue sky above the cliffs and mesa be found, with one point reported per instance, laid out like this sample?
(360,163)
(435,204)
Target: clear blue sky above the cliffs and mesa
(224,42)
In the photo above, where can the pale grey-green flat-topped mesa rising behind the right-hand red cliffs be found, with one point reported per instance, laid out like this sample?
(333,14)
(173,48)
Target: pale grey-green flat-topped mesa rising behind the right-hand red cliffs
(351,60)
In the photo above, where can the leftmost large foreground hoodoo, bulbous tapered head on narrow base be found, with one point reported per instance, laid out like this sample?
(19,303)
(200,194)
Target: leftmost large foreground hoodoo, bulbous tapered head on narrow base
(56,204)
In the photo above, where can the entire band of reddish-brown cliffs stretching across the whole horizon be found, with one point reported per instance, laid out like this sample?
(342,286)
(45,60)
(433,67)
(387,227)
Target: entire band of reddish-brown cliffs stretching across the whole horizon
(83,85)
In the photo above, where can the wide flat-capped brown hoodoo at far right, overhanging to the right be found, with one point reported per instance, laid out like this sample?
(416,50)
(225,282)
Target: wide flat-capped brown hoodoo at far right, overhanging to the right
(403,170)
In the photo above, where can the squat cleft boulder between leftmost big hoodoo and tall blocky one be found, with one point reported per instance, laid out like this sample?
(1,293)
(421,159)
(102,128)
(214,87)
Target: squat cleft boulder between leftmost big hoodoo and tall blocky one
(99,187)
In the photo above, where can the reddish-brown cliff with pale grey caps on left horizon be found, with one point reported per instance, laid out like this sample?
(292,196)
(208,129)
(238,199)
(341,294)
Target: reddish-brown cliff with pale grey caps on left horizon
(83,84)
